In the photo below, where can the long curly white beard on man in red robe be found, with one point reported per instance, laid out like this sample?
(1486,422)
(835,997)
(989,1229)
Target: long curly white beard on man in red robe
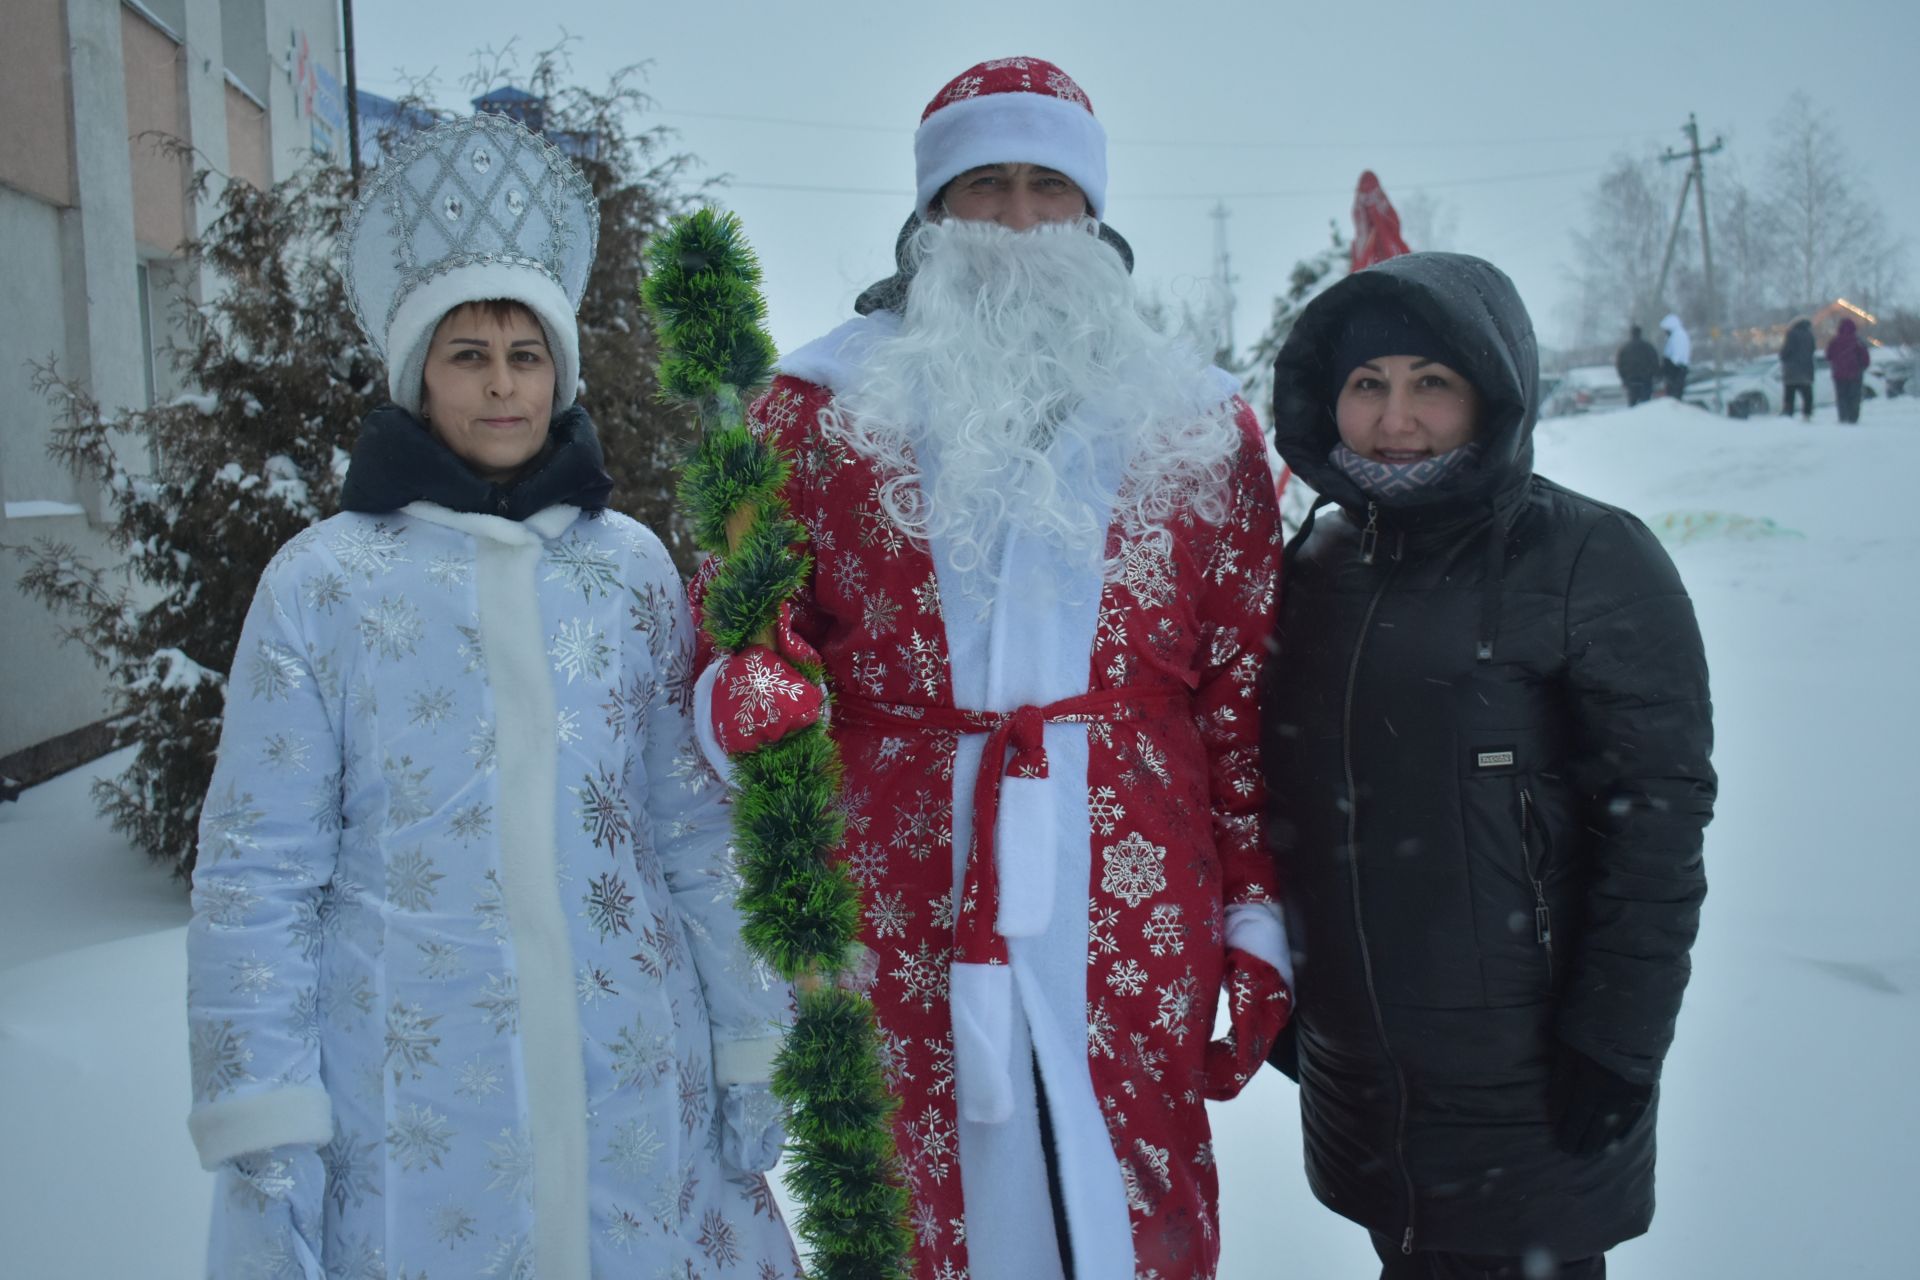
(1024,356)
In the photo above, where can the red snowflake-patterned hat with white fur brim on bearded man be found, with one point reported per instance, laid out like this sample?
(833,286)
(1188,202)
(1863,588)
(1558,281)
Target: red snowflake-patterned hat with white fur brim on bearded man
(1011,112)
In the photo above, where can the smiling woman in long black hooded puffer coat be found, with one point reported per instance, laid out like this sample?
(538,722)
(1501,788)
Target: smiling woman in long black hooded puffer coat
(1489,755)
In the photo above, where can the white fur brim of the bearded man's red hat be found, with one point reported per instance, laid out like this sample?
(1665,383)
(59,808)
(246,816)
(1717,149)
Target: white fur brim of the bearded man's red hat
(1011,130)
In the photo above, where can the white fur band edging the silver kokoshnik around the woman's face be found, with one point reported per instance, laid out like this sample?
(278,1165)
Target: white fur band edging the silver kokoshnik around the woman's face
(420,316)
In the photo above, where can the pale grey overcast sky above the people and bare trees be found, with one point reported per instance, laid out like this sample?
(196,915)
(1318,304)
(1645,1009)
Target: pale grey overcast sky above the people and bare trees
(1499,116)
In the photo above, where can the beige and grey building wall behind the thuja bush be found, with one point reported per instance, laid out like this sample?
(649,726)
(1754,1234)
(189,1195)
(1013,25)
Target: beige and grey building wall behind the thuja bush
(91,222)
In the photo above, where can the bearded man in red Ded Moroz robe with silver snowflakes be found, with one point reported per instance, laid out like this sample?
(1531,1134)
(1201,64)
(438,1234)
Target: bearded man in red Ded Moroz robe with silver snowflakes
(1045,552)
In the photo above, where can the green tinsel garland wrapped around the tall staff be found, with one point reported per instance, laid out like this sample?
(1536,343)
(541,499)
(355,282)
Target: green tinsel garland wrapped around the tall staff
(802,909)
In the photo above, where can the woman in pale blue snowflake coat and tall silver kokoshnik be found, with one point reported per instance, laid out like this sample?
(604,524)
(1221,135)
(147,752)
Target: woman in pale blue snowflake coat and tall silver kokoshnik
(468,991)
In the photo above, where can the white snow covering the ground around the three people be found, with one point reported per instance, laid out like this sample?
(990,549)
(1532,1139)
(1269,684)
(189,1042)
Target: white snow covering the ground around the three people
(1790,1118)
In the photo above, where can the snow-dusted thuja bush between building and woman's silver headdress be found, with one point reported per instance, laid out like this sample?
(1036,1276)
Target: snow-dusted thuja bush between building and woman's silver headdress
(206,488)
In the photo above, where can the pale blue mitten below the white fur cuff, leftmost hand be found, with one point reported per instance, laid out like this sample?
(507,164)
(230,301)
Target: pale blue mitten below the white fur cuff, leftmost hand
(268,1216)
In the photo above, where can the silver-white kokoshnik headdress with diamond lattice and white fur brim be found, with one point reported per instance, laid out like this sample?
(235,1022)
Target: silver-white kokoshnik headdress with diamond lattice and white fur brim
(471,210)
